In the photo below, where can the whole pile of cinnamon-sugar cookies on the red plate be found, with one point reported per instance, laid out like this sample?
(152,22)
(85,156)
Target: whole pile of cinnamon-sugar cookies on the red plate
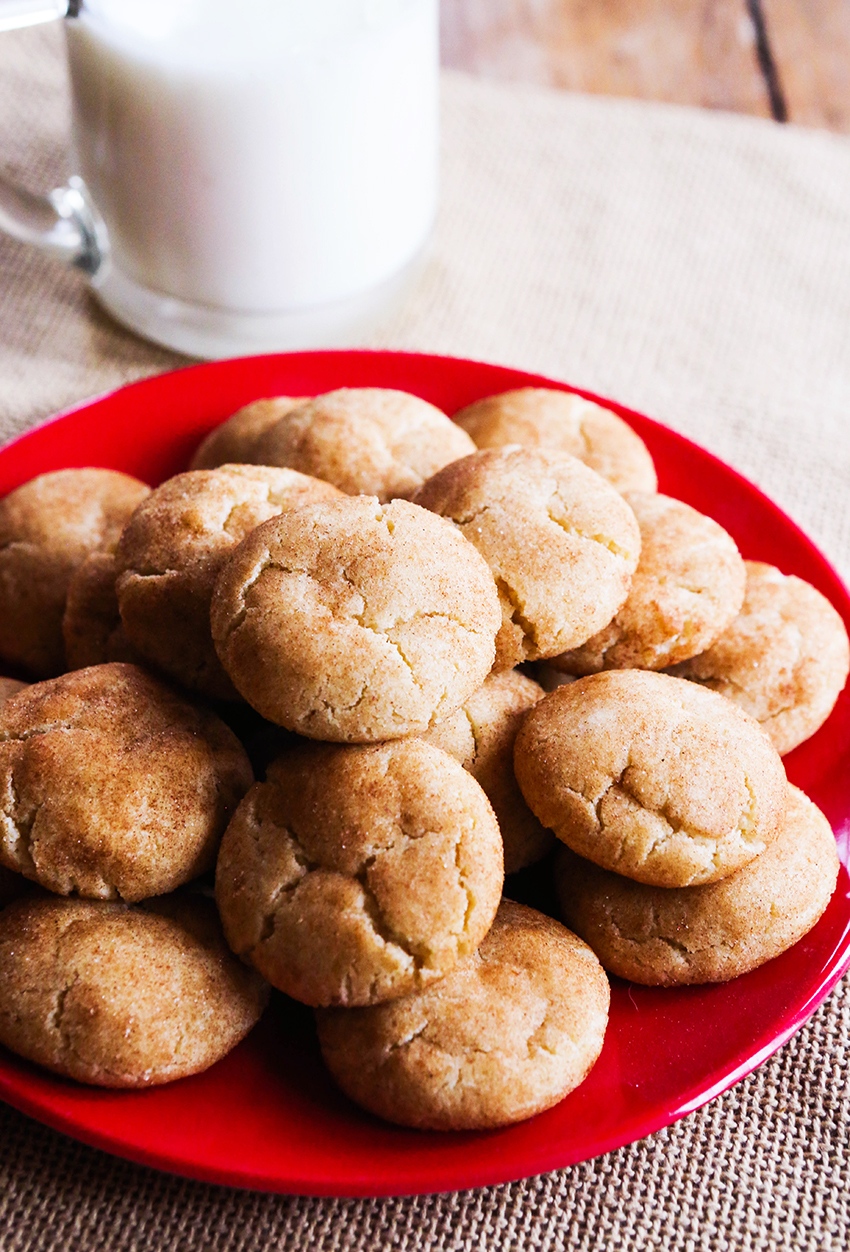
(355,580)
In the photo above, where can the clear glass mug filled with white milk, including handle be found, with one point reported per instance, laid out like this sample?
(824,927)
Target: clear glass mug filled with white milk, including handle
(255,175)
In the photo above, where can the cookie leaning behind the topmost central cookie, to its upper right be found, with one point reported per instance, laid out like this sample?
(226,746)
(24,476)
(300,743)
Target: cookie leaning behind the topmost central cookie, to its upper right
(560,541)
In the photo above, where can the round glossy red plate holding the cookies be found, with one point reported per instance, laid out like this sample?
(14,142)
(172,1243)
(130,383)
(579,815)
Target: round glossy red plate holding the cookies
(267,1116)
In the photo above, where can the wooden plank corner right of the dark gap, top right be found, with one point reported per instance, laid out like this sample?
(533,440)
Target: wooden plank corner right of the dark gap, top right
(811,48)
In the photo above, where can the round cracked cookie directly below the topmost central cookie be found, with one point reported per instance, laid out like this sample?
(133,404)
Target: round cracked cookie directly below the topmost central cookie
(355,876)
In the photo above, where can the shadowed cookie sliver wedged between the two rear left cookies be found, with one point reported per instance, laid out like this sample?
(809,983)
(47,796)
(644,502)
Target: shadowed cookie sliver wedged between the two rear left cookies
(92,624)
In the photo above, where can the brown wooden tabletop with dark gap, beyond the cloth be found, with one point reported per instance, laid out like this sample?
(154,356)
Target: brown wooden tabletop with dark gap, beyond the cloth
(787,59)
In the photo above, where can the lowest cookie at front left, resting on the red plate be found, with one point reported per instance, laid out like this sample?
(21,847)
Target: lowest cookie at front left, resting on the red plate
(118,996)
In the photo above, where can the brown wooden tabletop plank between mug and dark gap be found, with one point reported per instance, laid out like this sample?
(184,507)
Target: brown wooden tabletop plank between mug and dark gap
(689,52)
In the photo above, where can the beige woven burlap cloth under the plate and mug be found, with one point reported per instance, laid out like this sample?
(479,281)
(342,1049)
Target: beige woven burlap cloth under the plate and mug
(695,267)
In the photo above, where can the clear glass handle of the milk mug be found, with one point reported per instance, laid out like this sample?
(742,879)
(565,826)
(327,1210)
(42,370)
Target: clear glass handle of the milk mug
(61,223)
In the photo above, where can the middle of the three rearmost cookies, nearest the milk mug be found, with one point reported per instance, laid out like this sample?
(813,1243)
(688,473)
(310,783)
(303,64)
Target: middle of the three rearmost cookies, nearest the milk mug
(370,441)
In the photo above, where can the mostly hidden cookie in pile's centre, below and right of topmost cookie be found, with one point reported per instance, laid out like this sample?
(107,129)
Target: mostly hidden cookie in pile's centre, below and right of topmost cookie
(481,736)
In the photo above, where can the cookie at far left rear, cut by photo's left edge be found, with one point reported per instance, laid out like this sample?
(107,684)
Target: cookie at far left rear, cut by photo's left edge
(48,528)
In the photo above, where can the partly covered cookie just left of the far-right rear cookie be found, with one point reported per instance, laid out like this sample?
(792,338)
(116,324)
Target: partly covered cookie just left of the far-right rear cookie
(688,588)
